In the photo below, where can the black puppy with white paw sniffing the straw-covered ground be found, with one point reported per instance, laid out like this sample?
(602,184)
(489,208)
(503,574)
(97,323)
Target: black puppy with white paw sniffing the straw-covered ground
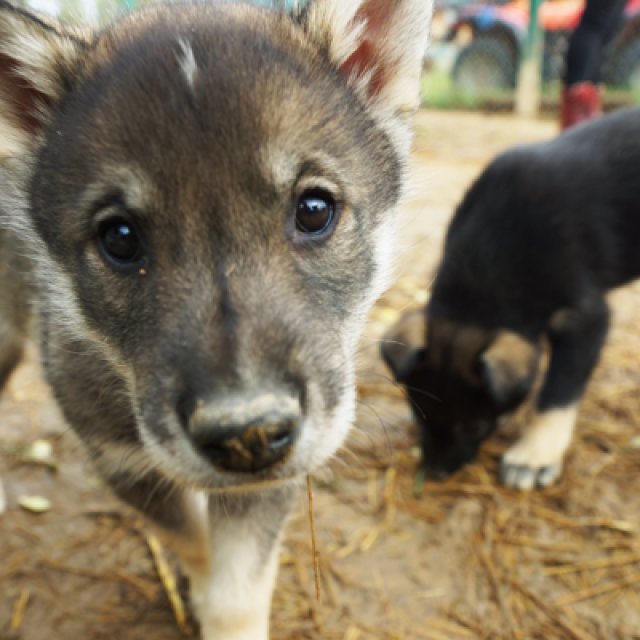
(538,240)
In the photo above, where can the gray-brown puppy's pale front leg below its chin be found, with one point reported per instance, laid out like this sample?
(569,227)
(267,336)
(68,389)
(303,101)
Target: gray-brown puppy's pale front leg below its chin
(228,545)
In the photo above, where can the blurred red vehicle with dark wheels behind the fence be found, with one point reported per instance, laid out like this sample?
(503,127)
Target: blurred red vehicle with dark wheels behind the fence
(495,35)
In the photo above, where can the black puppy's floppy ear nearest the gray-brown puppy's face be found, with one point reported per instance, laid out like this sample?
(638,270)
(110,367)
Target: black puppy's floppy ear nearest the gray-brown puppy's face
(404,345)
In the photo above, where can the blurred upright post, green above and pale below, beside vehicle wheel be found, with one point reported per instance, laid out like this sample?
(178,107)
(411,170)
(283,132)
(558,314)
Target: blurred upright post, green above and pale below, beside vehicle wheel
(530,73)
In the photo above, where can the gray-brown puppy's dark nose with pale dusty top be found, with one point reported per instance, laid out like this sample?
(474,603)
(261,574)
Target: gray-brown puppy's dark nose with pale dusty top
(246,435)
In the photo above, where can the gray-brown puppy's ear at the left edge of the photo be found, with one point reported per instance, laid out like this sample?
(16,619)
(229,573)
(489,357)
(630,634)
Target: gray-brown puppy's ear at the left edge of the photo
(38,59)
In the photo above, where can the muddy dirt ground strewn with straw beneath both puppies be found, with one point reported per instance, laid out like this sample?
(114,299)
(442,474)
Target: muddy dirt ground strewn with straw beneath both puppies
(466,559)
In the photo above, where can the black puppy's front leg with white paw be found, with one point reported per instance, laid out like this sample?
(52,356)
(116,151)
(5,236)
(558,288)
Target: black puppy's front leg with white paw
(576,338)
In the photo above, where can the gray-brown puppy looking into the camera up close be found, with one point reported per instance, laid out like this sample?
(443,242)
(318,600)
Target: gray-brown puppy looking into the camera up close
(204,197)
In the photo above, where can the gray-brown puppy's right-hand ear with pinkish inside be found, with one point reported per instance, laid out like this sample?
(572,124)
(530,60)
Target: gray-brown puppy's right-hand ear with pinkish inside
(378,44)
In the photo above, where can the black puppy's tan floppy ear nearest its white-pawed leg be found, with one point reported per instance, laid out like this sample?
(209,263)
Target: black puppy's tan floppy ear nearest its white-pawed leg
(508,368)
